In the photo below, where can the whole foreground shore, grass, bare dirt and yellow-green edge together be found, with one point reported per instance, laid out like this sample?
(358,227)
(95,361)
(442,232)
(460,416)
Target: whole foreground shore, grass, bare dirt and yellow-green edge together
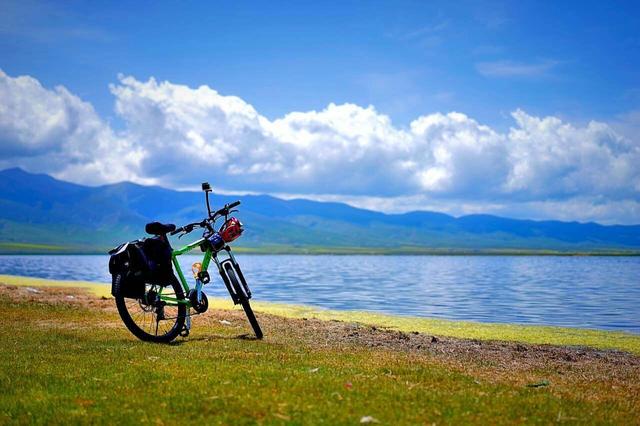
(68,359)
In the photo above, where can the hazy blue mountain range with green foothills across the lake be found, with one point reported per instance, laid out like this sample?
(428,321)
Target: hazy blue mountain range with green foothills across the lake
(39,213)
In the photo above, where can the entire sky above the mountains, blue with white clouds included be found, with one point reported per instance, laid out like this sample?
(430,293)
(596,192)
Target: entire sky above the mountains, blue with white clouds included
(521,109)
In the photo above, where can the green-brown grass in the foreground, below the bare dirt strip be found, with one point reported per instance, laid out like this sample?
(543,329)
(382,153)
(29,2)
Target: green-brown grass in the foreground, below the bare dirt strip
(62,364)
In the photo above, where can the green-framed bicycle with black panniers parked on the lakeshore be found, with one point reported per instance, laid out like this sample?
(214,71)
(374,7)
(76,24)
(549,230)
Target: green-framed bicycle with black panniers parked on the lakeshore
(158,307)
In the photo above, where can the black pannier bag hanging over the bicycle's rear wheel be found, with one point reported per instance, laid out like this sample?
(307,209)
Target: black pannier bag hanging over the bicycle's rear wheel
(138,262)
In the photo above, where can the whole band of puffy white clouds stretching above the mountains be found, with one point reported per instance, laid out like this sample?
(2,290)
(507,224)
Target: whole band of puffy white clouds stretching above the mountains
(177,136)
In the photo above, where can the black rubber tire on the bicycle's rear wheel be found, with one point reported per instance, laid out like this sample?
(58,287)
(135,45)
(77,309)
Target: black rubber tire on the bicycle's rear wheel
(174,331)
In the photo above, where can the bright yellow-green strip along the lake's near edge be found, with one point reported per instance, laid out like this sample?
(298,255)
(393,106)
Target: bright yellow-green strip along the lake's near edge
(533,334)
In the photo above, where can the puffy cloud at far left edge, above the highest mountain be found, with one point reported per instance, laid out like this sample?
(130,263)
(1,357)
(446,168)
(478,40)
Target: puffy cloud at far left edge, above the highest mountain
(54,131)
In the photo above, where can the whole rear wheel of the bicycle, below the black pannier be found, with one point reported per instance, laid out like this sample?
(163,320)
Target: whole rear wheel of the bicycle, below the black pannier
(151,319)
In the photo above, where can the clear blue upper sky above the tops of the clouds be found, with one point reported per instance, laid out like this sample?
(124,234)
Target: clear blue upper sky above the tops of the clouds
(578,60)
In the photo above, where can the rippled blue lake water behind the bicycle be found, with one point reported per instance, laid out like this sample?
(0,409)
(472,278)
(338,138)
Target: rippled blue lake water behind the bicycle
(592,292)
